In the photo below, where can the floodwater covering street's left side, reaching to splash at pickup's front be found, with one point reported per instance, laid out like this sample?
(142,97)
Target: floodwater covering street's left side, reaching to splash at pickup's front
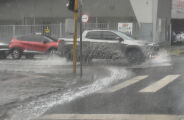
(32,87)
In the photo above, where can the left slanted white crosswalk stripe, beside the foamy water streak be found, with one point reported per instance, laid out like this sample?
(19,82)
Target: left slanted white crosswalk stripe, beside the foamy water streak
(124,84)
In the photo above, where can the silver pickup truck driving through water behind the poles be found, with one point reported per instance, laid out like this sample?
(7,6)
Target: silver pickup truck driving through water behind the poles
(109,44)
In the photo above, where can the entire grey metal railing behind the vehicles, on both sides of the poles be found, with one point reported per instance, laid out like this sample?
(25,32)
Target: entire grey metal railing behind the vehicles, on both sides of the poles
(7,32)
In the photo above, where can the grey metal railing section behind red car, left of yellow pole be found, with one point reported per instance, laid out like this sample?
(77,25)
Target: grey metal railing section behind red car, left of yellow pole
(7,32)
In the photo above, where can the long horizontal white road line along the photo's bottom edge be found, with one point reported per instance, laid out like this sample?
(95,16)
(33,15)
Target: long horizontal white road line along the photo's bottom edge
(110,117)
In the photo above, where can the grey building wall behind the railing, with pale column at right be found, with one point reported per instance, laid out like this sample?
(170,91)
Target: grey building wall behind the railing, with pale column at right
(149,18)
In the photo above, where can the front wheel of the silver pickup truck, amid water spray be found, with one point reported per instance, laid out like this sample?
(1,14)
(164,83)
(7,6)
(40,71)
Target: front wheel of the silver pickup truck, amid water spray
(135,56)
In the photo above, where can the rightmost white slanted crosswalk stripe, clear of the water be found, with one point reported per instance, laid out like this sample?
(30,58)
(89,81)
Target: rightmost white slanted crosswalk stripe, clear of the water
(159,84)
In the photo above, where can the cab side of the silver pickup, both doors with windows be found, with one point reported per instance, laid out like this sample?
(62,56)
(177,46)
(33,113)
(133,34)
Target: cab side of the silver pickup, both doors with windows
(104,44)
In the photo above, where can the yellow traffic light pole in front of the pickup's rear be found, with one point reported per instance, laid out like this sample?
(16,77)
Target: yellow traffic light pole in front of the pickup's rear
(75,37)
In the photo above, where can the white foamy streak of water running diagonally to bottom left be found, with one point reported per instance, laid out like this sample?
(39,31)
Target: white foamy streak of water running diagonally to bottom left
(36,108)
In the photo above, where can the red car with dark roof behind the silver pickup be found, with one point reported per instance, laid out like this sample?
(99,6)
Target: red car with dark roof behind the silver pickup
(32,44)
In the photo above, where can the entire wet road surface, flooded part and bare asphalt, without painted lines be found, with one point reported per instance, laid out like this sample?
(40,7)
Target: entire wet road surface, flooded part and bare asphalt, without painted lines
(31,88)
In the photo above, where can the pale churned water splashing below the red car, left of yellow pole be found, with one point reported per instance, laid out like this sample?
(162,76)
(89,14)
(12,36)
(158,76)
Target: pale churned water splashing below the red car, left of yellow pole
(53,64)
